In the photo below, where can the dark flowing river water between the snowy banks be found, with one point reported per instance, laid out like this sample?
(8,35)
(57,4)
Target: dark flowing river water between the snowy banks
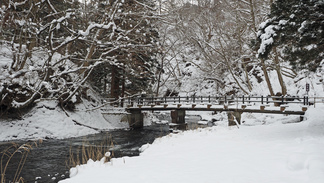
(48,162)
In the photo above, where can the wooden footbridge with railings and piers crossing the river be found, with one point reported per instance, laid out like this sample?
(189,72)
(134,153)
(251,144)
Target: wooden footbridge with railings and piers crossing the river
(233,105)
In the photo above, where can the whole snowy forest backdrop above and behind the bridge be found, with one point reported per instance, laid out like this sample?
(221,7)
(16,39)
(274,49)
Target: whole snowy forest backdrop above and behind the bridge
(61,49)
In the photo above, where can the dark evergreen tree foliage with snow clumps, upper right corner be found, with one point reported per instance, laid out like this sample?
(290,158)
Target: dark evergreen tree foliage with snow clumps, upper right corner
(296,27)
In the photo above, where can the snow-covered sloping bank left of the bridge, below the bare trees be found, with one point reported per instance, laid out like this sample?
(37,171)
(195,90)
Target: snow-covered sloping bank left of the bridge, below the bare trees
(47,120)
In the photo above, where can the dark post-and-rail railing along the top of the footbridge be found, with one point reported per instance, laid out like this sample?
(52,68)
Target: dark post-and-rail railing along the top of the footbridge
(218,100)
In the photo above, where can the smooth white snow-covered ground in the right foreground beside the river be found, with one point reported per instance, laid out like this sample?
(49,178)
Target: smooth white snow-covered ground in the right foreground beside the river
(265,149)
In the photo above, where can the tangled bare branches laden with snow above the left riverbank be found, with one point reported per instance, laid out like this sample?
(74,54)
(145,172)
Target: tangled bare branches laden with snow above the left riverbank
(54,51)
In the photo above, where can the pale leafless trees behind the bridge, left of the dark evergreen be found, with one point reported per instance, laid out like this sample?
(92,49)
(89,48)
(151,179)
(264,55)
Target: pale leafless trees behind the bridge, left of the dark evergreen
(220,31)
